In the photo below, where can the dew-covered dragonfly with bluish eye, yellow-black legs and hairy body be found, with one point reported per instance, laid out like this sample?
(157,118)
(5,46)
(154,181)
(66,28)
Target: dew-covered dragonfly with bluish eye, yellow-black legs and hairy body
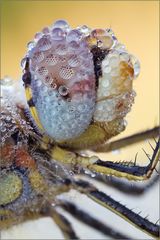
(77,90)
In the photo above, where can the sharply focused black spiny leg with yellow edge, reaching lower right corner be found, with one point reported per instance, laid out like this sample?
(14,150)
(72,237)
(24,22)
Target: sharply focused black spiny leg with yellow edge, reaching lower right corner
(116,207)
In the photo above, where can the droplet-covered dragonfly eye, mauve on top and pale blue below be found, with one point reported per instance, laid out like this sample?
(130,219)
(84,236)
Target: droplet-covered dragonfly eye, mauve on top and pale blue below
(63,82)
